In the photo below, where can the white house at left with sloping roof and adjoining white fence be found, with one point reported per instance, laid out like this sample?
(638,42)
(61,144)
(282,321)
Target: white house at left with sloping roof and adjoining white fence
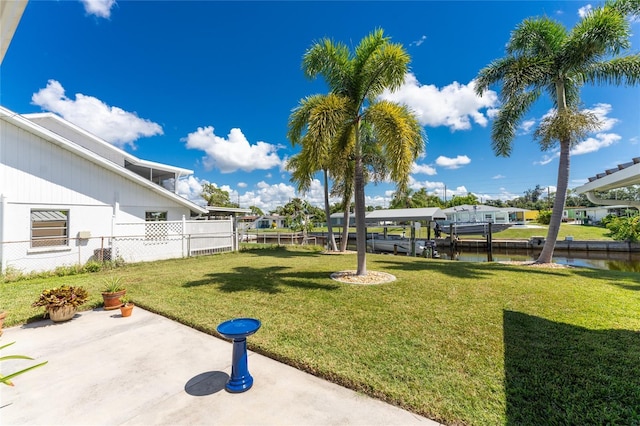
(67,196)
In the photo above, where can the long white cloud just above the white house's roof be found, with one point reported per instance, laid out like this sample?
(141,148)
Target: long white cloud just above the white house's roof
(112,124)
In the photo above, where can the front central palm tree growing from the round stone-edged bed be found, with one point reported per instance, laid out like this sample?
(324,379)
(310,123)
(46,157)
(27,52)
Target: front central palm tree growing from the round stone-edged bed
(355,82)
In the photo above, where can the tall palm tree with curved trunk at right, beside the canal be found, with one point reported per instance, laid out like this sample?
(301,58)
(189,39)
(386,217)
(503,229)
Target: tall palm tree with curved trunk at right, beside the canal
(542,56)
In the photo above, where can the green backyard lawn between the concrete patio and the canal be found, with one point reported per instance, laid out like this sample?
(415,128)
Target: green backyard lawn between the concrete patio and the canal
(459,342)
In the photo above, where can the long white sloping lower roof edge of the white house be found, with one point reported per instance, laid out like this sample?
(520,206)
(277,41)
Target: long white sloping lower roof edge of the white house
(21,122)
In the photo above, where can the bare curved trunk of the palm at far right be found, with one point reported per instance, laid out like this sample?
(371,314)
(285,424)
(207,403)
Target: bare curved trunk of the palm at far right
(558,205)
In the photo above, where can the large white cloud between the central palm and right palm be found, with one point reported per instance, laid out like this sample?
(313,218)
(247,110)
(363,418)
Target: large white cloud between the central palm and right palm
(453,106)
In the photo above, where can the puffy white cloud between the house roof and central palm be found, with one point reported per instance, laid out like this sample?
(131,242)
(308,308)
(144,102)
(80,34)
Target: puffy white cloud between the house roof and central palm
(233,152)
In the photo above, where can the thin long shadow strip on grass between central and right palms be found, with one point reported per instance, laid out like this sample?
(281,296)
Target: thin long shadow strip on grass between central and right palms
(466,270)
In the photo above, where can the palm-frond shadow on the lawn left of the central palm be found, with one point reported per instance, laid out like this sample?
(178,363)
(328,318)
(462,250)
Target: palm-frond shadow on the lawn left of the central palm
(270,280)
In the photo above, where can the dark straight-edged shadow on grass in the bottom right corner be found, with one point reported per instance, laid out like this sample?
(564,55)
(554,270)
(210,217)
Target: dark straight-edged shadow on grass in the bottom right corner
(562,374)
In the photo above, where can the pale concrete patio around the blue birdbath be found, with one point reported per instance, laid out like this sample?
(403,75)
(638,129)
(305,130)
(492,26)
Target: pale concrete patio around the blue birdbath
(147,370)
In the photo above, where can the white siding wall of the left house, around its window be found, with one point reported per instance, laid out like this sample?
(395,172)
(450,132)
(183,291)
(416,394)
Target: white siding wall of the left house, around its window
(39,174)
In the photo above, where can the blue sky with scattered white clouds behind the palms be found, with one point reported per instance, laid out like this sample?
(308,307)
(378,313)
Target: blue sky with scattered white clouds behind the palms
(209,86)
